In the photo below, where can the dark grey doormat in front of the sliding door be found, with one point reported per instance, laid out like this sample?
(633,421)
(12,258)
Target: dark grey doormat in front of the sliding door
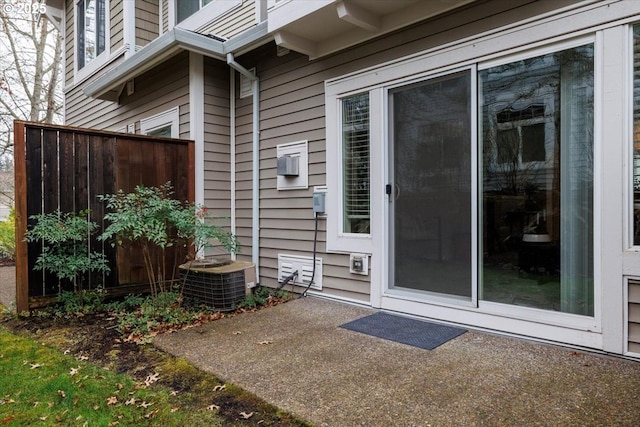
(404,330)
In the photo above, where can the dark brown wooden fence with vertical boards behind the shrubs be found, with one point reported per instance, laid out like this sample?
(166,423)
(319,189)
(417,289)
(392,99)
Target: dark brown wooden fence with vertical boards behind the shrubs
(65,168)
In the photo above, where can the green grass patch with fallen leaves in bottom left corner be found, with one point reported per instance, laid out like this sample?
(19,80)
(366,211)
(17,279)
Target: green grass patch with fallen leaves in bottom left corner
(41,386)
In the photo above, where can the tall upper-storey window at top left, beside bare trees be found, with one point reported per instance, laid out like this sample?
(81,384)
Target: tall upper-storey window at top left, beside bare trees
(91,30)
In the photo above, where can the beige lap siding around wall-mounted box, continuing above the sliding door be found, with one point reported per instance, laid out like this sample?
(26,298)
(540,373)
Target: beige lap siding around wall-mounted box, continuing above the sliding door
(292,109)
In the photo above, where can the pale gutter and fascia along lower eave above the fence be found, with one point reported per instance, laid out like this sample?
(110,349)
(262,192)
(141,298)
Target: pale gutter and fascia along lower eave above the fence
(153,54)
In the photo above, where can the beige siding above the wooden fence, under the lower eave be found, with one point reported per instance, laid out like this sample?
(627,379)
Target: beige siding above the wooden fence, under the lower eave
(158,90)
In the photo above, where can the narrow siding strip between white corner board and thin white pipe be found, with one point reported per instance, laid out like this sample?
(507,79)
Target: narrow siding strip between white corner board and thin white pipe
(217,173)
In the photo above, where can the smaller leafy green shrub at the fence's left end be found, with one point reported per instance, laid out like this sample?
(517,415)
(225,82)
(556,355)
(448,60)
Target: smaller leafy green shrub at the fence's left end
(65,253)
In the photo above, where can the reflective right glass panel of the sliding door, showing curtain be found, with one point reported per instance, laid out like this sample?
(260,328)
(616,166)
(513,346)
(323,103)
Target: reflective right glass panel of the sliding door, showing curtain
(537,182)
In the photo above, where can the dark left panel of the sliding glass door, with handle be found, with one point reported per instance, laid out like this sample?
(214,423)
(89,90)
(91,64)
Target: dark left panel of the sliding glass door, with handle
(431,211)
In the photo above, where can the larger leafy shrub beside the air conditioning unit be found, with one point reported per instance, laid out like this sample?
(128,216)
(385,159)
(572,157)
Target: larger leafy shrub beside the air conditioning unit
(151,219)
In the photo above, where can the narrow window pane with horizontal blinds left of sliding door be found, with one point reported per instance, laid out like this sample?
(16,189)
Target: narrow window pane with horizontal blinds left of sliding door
(355,155)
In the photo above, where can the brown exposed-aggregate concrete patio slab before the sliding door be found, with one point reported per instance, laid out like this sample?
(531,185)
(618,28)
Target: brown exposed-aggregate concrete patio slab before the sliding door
(296,357)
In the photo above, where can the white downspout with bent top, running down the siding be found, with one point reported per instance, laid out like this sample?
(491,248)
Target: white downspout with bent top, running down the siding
(255,210)
